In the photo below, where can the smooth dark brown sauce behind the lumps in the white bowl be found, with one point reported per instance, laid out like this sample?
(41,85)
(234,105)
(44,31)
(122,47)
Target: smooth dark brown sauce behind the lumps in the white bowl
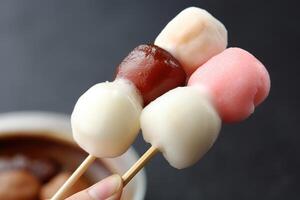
(67,155)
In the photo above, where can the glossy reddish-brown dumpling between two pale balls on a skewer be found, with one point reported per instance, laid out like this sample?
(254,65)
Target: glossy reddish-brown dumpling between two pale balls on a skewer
(153,71)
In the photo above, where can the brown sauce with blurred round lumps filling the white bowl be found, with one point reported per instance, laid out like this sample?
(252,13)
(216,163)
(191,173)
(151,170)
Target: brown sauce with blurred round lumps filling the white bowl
(44,161)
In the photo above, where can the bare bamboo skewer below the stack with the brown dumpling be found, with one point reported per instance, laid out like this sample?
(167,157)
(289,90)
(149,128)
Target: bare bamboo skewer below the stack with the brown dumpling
(74,177)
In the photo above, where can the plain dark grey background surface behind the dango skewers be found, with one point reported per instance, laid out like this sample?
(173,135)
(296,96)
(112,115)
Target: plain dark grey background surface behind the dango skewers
(52,51)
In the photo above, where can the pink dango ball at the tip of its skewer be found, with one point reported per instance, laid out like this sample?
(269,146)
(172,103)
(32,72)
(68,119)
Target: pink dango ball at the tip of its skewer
(236,81)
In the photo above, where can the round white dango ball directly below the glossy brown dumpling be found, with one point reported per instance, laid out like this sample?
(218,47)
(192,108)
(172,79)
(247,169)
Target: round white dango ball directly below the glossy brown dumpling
(105,119)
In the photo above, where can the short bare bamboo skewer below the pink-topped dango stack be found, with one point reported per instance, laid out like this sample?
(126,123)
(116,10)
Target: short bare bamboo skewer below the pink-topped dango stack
(139,164)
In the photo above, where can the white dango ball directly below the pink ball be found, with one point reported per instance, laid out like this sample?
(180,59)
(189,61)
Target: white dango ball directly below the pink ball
(182,124)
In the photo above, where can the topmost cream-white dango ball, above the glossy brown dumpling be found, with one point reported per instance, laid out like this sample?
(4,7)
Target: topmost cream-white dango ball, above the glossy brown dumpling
(192,37)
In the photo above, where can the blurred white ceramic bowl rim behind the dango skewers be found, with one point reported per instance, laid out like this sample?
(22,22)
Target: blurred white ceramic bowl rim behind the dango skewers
(58,126)
